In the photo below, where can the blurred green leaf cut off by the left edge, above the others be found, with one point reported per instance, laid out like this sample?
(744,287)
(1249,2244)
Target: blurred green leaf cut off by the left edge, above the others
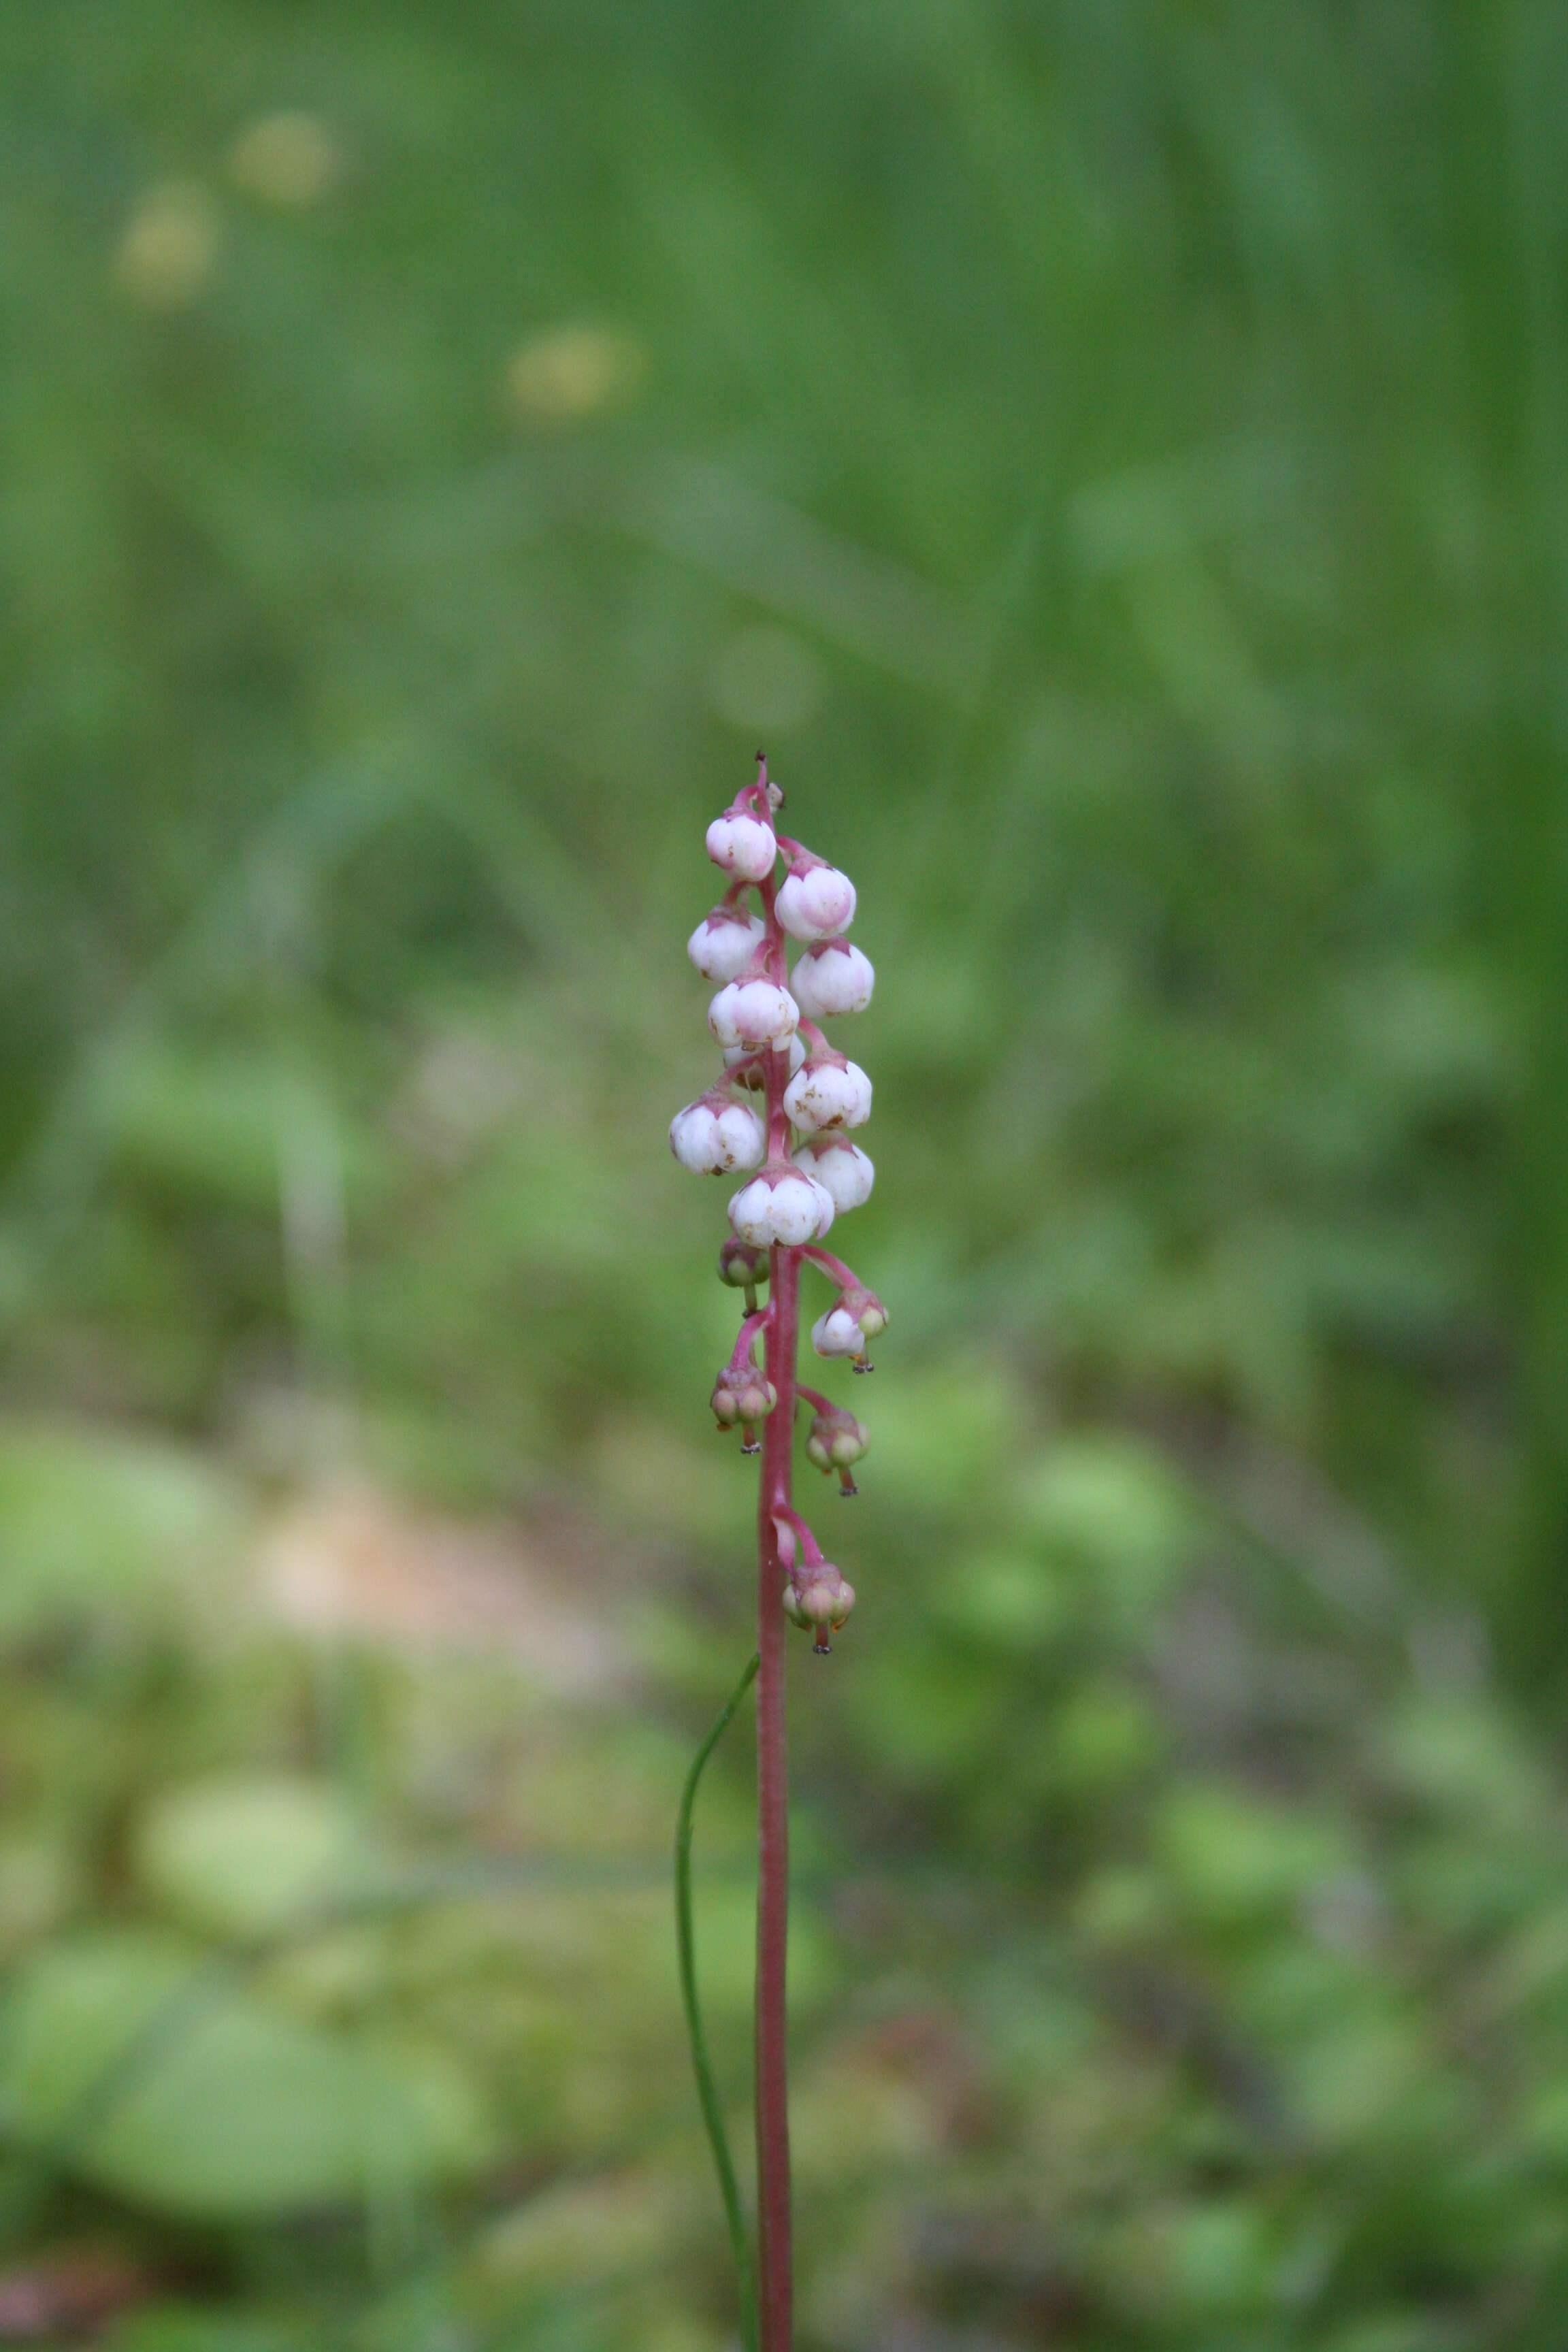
(98,1523)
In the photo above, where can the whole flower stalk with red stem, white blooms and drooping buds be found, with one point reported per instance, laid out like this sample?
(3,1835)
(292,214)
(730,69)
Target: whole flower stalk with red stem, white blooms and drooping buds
(808,1170)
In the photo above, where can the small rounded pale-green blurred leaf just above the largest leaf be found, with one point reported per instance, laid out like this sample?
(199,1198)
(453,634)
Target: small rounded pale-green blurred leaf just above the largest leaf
(246,1857)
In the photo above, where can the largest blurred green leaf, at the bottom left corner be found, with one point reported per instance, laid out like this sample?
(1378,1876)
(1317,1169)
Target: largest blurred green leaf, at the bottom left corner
(156,2078)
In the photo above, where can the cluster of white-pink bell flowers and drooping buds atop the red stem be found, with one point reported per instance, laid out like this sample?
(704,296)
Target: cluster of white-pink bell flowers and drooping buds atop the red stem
(796,1151)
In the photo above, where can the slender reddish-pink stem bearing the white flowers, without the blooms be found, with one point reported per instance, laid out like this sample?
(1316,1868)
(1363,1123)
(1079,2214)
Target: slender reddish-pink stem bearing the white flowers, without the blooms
(775,2252)
